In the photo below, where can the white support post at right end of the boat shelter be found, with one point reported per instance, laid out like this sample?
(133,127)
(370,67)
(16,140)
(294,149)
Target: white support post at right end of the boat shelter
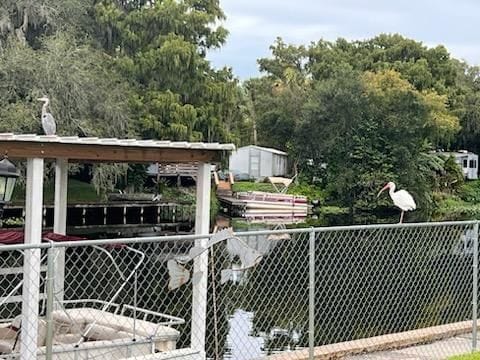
(202,226)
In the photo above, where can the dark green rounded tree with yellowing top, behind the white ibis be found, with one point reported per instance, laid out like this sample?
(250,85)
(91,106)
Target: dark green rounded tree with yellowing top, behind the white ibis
(368,128)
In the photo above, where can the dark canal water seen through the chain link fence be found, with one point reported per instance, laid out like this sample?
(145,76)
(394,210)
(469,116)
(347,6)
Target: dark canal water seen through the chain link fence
(268,313)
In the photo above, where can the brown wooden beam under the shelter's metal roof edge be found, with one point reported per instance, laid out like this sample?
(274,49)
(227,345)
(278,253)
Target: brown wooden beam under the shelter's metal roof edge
(106,153)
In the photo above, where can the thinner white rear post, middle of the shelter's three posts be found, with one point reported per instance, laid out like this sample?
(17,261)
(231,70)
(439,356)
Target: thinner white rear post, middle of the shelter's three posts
(60,223)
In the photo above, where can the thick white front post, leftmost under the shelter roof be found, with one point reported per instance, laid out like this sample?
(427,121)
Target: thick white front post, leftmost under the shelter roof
(31,263)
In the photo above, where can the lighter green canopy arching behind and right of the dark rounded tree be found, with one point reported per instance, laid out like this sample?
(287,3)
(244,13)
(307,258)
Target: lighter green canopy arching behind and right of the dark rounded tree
(429,70)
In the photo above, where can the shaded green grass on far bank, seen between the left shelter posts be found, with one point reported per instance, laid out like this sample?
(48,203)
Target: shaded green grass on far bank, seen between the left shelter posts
(78,192)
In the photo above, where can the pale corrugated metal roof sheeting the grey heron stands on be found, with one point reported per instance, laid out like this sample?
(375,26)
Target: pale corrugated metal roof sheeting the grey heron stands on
(163,144)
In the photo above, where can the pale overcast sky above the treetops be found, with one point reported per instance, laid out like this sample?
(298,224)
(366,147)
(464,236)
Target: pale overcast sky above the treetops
(254,25)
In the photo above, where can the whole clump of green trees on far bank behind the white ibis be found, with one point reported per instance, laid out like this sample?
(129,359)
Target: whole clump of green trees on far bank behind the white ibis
(370,110)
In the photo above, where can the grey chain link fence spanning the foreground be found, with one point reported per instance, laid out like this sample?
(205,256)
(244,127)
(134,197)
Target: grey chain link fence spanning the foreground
(380,292)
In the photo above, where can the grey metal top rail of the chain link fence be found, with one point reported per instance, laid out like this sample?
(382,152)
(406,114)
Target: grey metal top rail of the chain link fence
(160,239)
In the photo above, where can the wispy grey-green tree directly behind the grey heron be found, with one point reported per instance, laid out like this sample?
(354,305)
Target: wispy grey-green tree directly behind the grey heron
(87,97)
